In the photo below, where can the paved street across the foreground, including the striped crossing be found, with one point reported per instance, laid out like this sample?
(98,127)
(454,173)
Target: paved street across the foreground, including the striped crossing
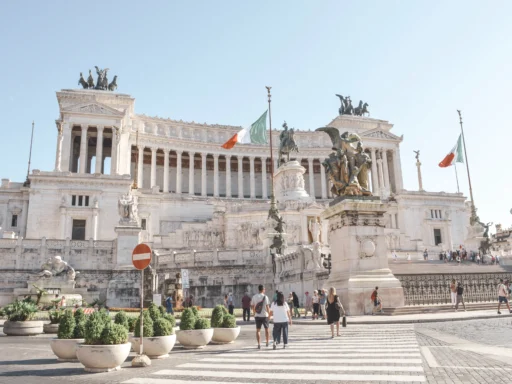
(469,351)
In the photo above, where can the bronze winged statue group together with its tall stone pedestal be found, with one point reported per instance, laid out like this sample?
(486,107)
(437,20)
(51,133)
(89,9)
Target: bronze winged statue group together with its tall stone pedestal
(359,260)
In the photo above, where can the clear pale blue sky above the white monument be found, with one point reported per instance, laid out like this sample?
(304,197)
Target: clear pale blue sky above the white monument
(414,62)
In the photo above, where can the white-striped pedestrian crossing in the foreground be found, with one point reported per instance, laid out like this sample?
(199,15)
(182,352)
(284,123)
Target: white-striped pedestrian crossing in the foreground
(382,361)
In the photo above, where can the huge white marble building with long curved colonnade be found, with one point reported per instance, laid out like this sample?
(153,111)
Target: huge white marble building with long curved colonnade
(199,205)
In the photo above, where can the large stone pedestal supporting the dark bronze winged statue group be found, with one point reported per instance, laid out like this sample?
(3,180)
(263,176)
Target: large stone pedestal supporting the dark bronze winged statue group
(358,252)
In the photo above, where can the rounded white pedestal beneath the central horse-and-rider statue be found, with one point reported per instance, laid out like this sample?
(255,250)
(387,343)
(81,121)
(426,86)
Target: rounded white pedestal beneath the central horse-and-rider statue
(289,182)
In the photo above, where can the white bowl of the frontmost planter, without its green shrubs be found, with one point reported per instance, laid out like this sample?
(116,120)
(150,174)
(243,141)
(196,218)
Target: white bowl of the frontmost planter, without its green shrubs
(102,358)
